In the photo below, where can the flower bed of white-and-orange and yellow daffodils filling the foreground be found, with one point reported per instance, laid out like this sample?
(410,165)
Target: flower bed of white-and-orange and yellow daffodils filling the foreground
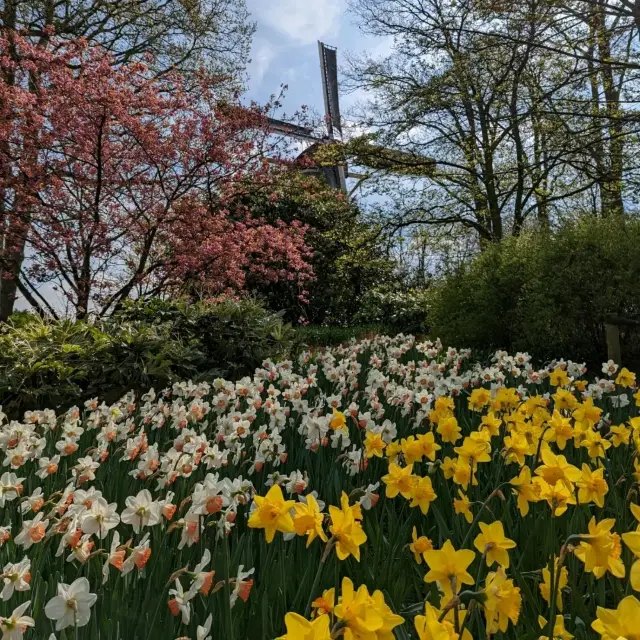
(383,489)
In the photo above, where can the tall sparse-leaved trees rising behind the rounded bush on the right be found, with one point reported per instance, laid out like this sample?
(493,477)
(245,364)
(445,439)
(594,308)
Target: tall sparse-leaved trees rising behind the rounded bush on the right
(522,133)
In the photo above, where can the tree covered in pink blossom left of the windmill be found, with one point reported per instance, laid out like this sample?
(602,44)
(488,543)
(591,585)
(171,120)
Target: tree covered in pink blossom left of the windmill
(113,183)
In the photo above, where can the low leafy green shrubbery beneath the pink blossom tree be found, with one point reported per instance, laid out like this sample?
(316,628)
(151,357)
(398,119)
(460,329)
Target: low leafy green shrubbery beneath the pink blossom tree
(46,363)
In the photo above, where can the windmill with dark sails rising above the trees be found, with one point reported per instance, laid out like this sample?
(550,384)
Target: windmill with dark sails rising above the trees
(364,153)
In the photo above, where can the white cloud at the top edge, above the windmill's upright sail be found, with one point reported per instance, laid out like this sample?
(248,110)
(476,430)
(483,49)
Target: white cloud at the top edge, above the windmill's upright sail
(304,21)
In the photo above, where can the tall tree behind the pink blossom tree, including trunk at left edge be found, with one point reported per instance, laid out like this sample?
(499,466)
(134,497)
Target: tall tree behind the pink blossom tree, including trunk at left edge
(171,35)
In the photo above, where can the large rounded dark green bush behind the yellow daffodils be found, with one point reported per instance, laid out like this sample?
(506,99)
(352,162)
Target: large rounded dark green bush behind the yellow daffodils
(546,293)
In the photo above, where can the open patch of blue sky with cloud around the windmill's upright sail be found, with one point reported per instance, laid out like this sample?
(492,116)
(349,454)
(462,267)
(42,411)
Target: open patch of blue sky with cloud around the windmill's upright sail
(285,49)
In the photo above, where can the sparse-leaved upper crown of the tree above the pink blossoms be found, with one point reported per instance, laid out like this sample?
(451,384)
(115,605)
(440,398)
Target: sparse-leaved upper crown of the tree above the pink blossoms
(178,34)
